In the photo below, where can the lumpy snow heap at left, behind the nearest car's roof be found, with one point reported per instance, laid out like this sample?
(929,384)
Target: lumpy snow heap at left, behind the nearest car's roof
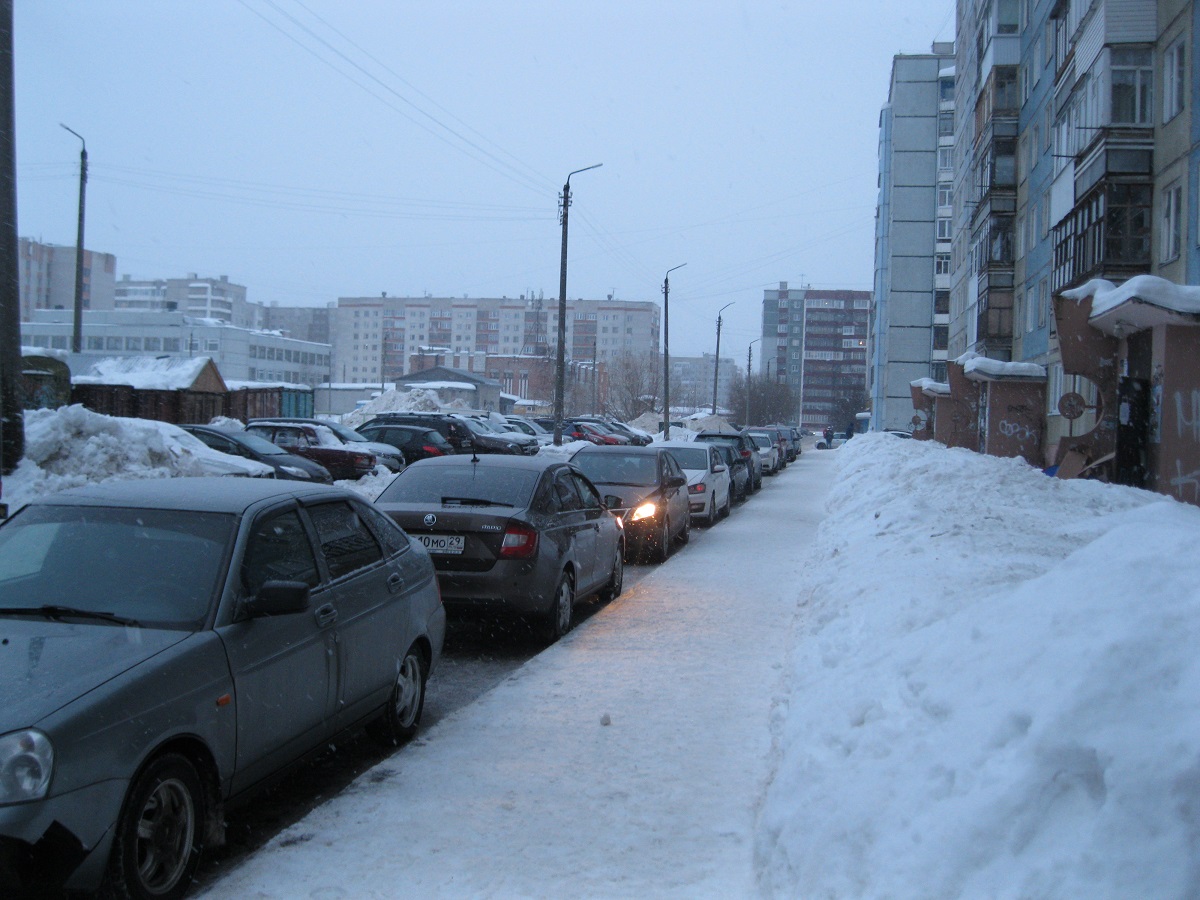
(74,447)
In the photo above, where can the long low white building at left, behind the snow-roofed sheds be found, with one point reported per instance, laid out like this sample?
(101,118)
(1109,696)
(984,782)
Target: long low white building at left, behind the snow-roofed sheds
(241,355)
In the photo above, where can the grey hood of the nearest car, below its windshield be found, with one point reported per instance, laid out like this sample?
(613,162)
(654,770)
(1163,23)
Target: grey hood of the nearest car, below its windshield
(45,665)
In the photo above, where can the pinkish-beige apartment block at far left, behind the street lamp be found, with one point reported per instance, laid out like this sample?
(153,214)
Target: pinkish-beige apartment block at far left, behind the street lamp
(47,274)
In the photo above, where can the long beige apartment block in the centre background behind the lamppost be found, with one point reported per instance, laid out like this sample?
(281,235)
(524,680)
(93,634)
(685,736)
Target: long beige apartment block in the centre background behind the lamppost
(379,339)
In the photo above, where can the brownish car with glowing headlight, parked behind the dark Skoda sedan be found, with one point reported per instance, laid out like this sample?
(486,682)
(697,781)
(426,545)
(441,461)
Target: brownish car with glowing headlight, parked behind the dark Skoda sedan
(649,489)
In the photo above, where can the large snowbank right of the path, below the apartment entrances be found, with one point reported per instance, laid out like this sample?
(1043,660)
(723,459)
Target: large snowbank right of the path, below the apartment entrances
(995,689)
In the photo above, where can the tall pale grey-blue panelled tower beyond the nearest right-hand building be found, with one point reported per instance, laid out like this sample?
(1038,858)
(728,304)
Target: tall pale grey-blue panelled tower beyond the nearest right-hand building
(910,320)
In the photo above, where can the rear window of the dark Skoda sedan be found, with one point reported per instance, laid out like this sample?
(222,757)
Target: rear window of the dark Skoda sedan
(463,485)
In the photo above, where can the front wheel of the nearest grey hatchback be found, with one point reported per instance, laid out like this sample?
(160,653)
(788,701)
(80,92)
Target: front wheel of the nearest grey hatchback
(161,832)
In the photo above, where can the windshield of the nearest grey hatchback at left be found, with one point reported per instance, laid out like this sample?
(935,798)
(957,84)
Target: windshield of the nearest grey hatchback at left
(158,568)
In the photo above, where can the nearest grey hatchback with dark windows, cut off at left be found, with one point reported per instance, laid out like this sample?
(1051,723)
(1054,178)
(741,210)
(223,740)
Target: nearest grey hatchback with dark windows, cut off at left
(173,645)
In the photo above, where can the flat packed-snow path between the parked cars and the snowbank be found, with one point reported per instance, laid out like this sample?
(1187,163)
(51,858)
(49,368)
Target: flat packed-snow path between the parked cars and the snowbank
(629,760)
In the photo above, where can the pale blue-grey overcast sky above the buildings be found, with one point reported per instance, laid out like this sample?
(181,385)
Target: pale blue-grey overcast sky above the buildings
(315,149)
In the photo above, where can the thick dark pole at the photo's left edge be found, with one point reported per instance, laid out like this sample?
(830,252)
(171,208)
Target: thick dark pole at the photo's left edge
(13,430)
